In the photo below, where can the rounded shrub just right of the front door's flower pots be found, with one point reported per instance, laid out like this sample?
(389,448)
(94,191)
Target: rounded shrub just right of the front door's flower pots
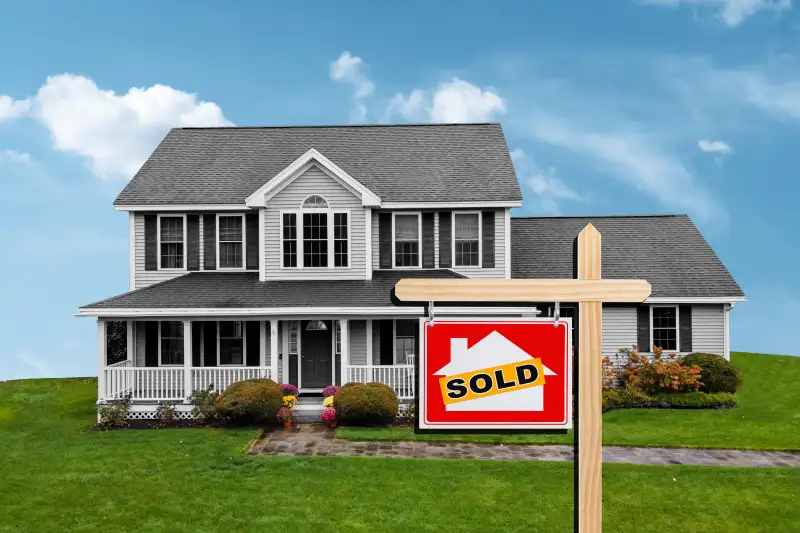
(363,405)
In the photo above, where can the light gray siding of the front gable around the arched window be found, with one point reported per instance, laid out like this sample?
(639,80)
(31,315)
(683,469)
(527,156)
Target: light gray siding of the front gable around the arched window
(315,181)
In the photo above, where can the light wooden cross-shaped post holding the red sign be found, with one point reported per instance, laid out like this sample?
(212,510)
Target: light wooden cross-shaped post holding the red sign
(590,291)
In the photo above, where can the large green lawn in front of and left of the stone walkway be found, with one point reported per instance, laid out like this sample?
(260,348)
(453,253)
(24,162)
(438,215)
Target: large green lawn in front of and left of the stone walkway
(58,476)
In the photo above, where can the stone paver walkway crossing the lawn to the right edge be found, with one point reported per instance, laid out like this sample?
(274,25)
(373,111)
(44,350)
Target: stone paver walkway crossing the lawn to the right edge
(319,440)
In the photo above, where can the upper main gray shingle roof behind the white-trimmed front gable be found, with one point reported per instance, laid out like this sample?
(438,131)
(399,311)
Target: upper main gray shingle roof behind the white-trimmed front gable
(399,163)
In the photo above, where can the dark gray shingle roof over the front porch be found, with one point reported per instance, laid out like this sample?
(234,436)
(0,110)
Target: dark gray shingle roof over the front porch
(242,289)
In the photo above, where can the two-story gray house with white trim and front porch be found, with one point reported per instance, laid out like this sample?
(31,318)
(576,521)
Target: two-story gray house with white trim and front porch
(274,252)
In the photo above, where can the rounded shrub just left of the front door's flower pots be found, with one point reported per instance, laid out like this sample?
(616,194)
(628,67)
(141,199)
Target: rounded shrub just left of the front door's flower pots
(252,401)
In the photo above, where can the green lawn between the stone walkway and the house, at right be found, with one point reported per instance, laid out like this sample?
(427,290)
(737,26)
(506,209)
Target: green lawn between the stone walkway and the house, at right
(767,418)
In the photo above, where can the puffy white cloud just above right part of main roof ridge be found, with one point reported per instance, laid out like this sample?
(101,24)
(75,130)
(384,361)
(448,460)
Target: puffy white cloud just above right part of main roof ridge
(455,101)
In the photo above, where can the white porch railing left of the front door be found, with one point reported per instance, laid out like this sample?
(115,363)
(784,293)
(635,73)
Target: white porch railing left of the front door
(169,383)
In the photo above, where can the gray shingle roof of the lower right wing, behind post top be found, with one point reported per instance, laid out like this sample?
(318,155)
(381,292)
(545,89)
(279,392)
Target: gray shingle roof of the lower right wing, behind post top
(667,251)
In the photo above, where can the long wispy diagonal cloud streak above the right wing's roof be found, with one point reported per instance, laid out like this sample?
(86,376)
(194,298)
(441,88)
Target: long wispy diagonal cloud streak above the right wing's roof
(633,159)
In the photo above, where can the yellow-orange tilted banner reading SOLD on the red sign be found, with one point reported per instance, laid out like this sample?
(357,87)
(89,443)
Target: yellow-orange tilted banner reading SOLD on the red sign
(493,380)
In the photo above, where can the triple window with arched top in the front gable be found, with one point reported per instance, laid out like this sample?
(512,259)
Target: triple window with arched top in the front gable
(315,236)
